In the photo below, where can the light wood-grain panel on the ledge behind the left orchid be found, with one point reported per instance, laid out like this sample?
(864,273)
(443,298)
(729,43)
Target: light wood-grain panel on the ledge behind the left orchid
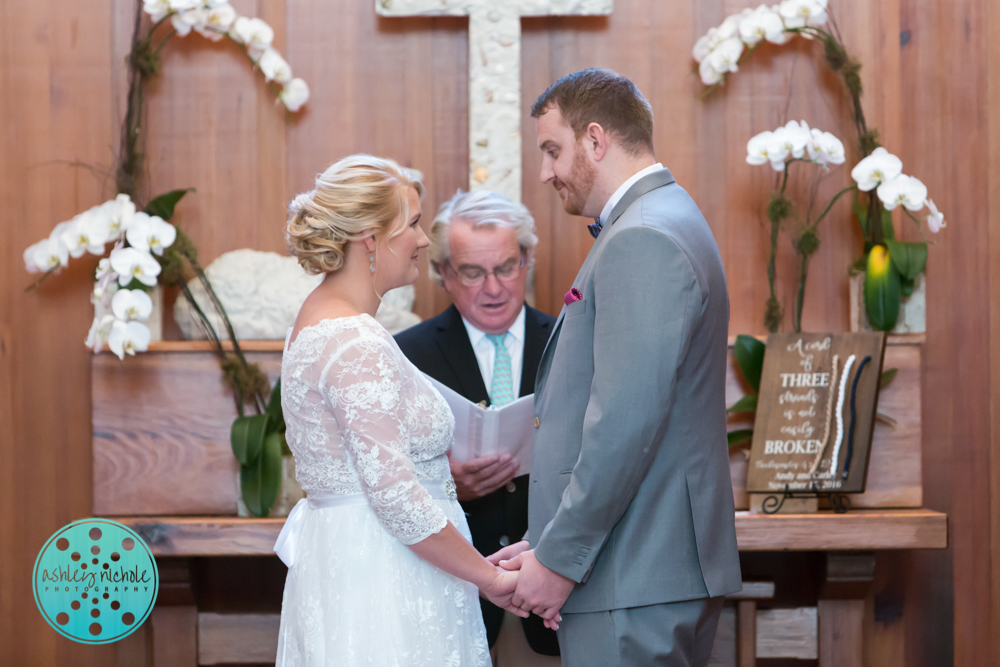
(161,433)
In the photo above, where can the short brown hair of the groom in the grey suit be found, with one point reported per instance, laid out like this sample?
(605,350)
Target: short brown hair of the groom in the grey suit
(604,97)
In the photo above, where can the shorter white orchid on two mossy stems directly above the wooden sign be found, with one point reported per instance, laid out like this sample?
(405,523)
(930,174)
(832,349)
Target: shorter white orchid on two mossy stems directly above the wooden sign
(793,142)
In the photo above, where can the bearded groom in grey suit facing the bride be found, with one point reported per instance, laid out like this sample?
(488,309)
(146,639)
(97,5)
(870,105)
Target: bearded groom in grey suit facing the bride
(631,525)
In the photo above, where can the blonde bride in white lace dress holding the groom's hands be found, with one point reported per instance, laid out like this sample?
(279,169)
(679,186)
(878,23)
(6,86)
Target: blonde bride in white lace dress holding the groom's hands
(381,566)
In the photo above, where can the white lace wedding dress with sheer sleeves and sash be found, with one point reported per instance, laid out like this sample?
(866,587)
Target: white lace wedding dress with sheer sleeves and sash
(369,434)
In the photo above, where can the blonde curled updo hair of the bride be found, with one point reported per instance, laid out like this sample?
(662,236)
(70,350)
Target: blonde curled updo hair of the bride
(358,196)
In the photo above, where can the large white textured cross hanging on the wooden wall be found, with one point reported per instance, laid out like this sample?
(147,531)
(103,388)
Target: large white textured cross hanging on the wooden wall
(494,76)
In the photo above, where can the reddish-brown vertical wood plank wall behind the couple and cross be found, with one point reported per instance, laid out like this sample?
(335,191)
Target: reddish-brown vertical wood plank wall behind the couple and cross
(398,88)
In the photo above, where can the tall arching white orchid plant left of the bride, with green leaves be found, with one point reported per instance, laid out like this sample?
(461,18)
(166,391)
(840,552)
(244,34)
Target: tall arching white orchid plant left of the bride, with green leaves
(148,250)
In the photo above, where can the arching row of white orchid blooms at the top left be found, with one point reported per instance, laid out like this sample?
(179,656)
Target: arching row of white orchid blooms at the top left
(215,19)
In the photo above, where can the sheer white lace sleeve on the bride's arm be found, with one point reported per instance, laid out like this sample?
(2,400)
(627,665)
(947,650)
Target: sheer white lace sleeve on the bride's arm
(362,386)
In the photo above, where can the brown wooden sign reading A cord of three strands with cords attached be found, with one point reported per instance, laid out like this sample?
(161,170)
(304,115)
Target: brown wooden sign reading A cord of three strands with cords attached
(816,412)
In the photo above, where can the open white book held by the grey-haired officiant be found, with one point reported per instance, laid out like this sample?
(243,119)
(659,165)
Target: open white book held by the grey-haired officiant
(483,431)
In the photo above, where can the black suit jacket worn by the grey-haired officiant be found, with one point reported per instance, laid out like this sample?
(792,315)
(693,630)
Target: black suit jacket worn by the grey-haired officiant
(440,347)
